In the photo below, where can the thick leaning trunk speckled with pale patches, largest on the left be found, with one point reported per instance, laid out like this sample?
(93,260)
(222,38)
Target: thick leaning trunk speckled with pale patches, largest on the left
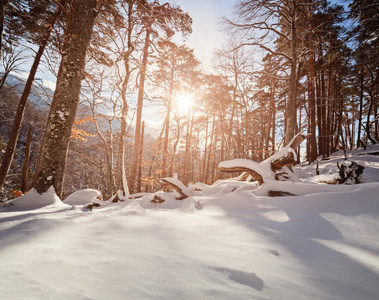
(66,98)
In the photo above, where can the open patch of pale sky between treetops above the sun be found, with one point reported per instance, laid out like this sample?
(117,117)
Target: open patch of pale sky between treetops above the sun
(207,34)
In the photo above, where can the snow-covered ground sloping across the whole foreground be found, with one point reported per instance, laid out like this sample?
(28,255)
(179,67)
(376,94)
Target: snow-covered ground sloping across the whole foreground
(230,241)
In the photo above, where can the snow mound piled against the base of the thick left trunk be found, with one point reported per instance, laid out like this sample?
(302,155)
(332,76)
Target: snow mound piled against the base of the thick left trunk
(33,200)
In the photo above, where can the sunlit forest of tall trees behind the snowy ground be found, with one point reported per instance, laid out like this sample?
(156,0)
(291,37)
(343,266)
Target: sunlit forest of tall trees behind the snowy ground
(133,104)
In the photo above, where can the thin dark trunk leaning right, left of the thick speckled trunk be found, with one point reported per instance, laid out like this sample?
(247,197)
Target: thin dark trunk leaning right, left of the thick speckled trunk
(11,146)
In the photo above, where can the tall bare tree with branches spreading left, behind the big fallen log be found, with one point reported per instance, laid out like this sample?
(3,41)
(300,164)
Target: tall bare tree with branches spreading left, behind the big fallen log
(262,22)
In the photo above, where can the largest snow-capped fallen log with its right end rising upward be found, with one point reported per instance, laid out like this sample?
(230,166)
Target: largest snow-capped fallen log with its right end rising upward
(277,166)
